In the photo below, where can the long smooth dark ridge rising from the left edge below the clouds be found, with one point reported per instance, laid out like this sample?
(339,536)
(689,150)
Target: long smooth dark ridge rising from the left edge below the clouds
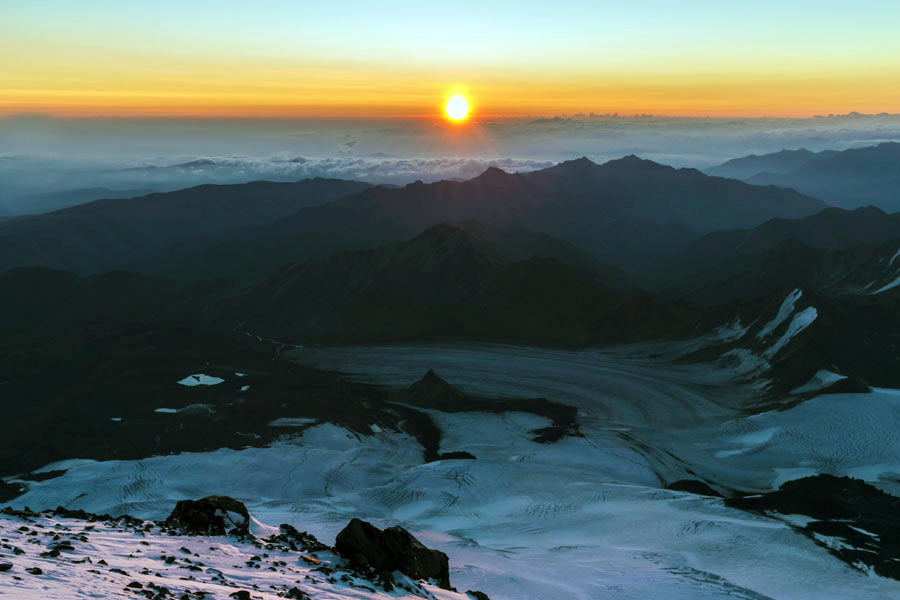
(108,234)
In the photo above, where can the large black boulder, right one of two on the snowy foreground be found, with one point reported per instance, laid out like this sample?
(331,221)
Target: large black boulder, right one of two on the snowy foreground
(393,549)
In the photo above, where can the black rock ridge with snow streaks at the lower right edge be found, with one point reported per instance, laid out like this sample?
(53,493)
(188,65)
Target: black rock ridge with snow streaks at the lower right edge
(865,520)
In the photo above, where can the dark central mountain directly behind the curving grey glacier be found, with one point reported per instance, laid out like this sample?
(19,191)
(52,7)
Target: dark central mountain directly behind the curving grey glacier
(447,282)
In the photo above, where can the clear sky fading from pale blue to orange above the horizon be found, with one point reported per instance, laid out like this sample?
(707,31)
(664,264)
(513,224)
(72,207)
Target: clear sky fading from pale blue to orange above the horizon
(349,59)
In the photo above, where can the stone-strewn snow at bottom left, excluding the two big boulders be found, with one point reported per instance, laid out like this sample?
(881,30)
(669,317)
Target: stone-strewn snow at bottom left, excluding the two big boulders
(53,557)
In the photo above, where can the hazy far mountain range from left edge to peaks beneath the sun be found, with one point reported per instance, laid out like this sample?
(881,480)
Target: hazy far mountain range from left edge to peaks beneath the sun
(612,210)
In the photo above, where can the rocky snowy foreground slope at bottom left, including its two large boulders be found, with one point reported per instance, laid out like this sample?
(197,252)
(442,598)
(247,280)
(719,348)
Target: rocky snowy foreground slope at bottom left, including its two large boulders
(211,548)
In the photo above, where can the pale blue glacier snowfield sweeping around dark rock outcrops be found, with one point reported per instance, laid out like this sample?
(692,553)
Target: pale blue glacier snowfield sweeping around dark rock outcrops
(583,518)
